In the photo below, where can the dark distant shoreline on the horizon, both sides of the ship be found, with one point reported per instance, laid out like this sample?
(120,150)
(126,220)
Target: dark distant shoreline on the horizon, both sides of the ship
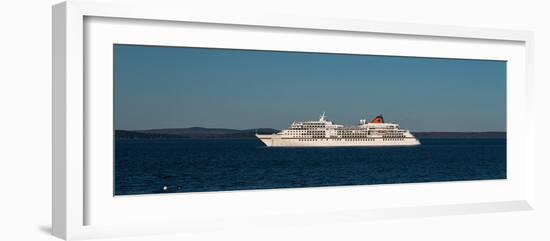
(221,133)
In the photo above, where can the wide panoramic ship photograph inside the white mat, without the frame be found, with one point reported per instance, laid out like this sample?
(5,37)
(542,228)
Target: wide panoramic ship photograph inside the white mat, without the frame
(195,119)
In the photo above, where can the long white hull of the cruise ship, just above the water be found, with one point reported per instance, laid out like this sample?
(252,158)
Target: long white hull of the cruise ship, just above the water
(275,140)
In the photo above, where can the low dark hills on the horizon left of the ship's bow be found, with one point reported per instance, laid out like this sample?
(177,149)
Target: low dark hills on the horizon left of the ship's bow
(192,132)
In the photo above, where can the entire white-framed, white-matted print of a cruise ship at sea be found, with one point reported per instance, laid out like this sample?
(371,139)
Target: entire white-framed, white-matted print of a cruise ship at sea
(178,121)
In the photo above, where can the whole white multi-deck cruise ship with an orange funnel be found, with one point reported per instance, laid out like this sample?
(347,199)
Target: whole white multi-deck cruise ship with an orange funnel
(325,133)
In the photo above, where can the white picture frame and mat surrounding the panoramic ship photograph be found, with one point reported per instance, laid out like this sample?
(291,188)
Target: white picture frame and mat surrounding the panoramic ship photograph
(78,196)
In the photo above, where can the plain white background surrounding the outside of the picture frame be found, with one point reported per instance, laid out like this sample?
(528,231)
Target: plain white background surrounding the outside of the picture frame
(25,136)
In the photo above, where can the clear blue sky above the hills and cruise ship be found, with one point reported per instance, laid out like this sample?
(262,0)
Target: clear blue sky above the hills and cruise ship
(170,87)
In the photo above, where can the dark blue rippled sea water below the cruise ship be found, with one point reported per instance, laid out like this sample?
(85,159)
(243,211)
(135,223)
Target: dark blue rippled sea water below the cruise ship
(182,165)
